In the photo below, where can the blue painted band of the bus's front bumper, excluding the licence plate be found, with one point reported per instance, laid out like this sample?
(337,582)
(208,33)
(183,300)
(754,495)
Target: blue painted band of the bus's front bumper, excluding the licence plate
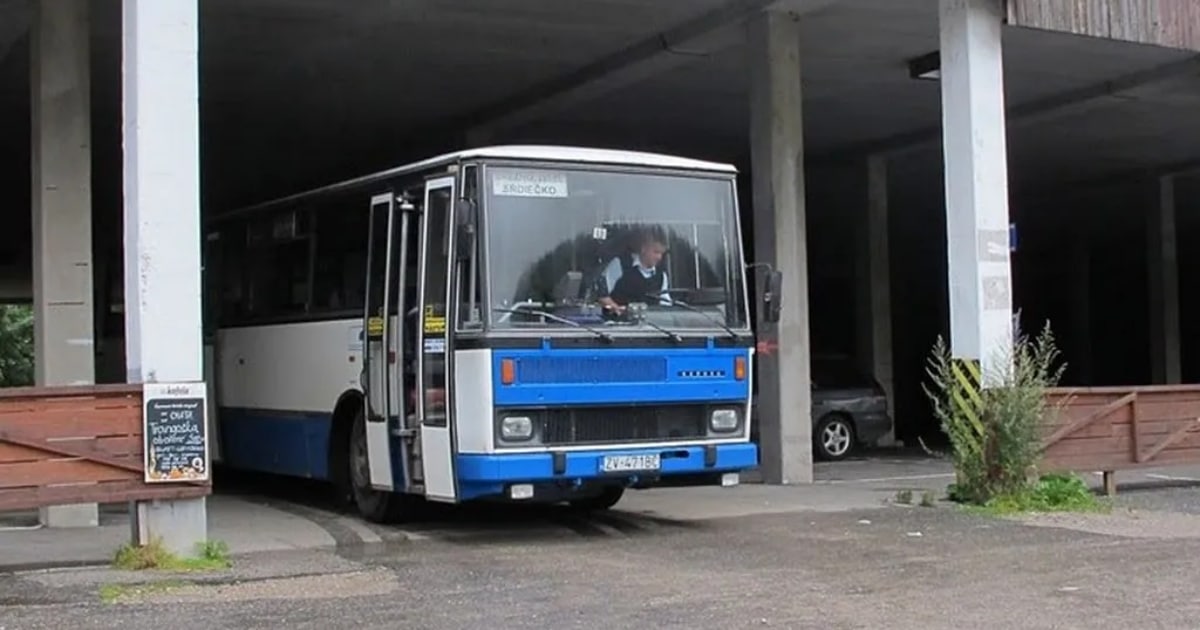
(490,475)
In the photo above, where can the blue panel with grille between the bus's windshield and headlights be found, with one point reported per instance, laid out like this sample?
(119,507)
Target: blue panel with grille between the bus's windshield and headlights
(597,377)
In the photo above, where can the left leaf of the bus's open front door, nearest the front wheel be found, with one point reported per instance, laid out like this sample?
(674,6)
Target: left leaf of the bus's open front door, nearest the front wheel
(381,332)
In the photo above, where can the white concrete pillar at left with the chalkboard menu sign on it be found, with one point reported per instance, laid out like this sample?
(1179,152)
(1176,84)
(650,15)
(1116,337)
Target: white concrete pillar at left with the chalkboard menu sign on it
(163,225)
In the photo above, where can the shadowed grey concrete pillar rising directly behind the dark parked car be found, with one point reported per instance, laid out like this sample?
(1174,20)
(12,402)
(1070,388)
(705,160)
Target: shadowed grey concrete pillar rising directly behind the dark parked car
(875,308)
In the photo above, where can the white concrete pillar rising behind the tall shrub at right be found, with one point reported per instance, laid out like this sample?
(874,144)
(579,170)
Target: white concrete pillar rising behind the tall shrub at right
(976,183)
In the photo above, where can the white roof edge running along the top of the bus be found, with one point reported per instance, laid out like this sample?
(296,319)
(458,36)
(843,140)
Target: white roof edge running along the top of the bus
(515,152)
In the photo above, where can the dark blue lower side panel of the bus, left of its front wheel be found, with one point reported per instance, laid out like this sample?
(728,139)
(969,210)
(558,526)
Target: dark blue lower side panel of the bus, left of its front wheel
(286,443)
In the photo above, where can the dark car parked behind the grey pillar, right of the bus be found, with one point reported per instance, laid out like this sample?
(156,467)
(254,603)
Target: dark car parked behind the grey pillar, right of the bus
(849,410)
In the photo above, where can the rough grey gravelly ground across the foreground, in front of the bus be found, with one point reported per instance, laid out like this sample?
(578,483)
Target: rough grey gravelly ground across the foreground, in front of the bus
(903,568)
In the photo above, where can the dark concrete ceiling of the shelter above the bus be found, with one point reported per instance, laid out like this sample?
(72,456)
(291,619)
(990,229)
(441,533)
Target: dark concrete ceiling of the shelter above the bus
(296,93)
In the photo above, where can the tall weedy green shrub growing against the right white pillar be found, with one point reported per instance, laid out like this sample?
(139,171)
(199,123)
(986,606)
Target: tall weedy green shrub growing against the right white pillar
(994,430)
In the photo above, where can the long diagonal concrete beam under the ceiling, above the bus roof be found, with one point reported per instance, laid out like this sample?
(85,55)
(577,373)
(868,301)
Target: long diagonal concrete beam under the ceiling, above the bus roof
(657,55)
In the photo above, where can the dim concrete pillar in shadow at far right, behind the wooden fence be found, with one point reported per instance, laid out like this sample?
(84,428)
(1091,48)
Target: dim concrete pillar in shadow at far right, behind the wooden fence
(1163,286)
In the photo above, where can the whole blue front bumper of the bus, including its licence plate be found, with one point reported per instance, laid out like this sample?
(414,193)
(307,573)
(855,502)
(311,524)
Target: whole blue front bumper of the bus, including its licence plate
(557,476)
